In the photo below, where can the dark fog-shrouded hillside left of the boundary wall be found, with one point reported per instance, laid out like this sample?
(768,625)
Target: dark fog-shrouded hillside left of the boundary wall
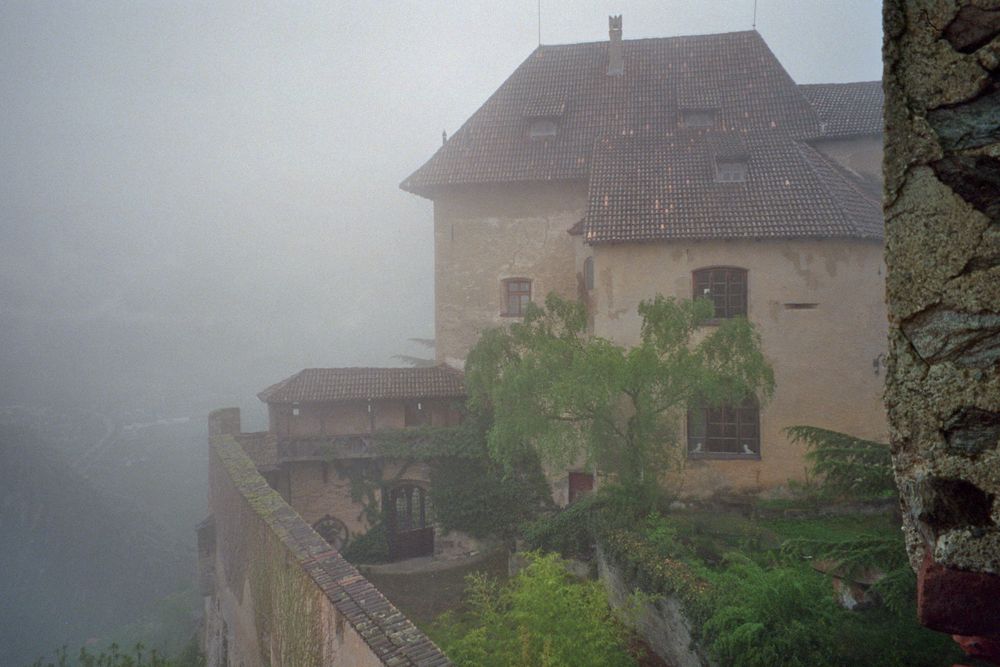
(77,559)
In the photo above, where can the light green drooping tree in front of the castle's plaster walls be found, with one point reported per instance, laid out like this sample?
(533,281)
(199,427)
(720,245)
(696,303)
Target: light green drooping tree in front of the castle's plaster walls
(571,396)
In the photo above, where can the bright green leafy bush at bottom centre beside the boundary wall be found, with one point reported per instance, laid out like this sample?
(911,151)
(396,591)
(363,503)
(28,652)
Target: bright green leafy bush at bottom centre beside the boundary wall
(543,616)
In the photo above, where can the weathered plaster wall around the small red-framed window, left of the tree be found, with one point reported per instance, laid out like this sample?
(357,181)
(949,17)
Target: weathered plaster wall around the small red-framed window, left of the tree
(485,235)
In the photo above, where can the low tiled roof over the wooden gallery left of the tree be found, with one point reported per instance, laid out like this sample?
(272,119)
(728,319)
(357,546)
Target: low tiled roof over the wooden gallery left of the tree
(344,384)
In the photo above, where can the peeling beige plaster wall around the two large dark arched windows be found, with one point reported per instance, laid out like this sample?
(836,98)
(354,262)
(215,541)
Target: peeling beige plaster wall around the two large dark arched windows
(827,359)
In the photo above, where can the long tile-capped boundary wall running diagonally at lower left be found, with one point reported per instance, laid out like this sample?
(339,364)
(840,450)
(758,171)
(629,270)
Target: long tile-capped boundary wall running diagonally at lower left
(281,595)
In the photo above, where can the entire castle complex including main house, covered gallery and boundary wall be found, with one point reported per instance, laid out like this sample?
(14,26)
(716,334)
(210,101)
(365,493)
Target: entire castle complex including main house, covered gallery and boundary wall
(692,167)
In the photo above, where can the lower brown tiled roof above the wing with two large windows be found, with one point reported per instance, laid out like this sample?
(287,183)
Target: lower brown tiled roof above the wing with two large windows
(645,188)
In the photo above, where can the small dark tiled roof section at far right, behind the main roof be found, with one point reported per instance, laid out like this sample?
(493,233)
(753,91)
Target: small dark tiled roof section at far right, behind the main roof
(847,109)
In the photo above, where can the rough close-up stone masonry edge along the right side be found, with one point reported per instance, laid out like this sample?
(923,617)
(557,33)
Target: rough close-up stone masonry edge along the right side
(942,211)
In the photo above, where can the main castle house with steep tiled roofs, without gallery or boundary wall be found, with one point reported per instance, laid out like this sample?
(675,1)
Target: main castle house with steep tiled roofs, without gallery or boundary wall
(690,167)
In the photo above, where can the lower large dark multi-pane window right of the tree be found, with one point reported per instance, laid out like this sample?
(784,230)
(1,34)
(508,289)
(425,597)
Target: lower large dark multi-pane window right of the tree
(725,431)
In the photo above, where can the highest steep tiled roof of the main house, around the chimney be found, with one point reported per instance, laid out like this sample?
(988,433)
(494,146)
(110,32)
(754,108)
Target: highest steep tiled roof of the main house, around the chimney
(734,74)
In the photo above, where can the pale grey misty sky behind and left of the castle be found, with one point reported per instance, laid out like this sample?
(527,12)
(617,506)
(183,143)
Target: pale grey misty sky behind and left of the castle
(200,198)
